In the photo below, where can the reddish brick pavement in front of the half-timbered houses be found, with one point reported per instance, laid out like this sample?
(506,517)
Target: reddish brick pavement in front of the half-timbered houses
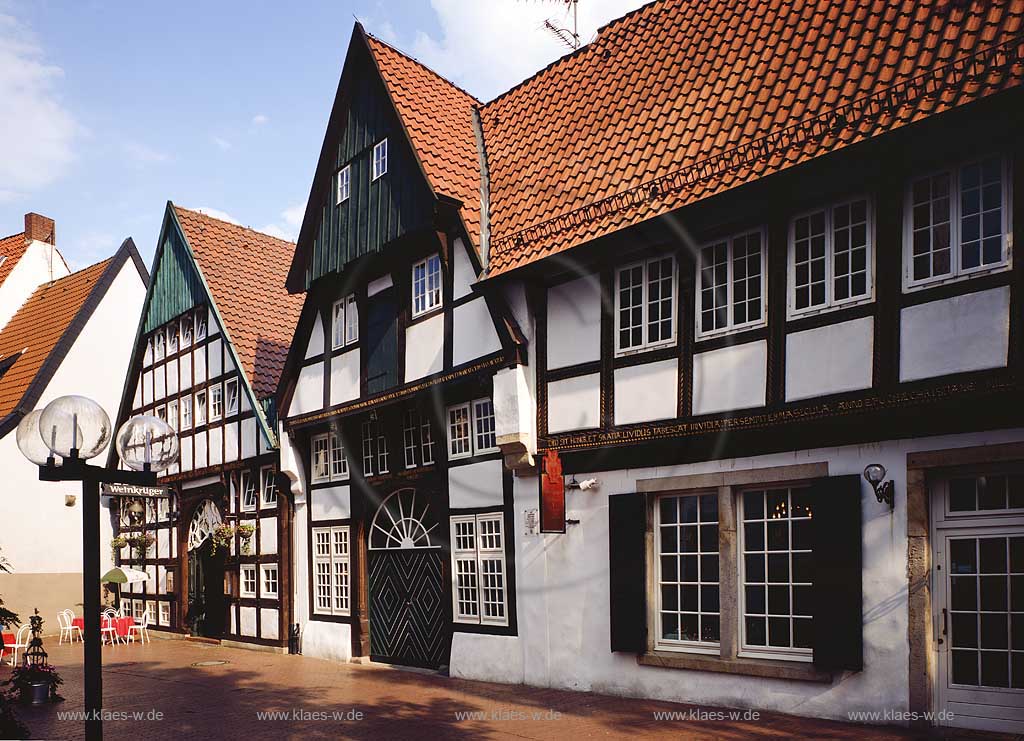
(223,702)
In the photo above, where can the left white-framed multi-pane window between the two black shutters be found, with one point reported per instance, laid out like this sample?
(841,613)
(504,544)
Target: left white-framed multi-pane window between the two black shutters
(689,618)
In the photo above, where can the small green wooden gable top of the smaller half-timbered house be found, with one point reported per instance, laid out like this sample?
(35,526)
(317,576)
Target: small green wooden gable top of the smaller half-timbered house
(177,284)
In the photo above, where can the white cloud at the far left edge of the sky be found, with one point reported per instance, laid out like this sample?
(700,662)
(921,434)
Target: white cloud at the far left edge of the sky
(37,133)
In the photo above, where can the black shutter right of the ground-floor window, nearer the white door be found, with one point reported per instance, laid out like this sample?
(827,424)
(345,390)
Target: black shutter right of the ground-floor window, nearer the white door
(838,591)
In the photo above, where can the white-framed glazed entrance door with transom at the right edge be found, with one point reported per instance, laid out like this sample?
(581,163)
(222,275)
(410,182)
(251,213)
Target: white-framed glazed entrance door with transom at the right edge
(978,583)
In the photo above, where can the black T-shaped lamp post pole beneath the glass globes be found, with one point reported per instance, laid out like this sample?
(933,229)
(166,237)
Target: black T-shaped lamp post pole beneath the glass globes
(75,469)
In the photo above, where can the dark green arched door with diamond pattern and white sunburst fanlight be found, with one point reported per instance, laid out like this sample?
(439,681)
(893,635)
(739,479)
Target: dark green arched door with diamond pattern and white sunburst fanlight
(406,568)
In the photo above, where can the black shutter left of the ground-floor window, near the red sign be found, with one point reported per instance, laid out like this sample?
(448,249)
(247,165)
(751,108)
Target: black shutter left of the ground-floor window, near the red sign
(627,553)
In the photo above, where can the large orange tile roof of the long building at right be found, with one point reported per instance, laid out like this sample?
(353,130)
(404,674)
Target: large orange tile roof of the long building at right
(574,151)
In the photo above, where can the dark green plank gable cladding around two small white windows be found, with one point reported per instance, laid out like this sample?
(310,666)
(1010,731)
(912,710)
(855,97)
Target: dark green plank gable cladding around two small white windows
(377,212)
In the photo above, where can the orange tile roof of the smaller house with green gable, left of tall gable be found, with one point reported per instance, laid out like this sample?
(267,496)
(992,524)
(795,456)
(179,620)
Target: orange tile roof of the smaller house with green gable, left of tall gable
(246,271)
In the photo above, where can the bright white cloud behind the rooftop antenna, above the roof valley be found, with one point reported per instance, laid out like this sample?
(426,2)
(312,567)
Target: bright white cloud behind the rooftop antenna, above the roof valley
(488,48)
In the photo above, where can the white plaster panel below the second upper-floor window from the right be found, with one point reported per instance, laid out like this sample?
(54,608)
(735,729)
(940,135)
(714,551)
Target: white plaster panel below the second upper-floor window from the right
(830,360)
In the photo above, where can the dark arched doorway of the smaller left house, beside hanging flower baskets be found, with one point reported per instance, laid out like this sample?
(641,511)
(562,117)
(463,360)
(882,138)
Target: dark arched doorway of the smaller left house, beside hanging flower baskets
(206,574)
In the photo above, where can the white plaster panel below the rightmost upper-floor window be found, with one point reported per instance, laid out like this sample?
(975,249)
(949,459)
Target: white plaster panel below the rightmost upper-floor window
(965,333)
